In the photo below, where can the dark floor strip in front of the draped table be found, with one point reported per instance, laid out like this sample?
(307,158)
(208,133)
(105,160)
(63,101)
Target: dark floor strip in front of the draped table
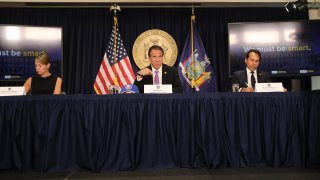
(178,174)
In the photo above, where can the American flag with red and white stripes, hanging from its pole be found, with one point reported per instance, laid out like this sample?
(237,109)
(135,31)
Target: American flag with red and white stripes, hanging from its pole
(115,68)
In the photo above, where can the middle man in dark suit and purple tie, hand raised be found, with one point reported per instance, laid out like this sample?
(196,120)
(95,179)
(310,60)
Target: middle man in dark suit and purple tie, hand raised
(157,72)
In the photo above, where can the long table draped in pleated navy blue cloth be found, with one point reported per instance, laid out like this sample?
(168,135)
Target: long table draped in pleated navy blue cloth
(101,133)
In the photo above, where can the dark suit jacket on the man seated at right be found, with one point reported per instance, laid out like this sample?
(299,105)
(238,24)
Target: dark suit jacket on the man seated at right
(240,77)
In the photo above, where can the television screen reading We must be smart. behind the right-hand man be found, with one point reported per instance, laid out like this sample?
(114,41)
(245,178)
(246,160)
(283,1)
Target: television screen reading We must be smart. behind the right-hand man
(287,48)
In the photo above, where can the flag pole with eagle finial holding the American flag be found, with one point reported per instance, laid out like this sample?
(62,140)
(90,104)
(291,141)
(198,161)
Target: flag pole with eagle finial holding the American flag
(115,8)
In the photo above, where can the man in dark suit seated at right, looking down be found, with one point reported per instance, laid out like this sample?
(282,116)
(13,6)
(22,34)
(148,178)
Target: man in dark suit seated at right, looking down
(248,77)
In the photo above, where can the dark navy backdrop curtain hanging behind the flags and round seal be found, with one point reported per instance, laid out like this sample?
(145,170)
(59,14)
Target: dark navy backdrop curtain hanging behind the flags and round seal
(86,30)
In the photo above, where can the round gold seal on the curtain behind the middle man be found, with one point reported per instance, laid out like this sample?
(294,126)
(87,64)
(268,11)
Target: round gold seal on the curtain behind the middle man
(150,38)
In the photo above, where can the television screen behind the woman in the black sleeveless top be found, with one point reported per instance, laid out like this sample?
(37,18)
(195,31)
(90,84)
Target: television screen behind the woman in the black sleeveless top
(19,45)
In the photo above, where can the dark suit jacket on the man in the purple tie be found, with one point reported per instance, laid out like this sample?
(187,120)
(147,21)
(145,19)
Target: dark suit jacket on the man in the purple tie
(169,76)
